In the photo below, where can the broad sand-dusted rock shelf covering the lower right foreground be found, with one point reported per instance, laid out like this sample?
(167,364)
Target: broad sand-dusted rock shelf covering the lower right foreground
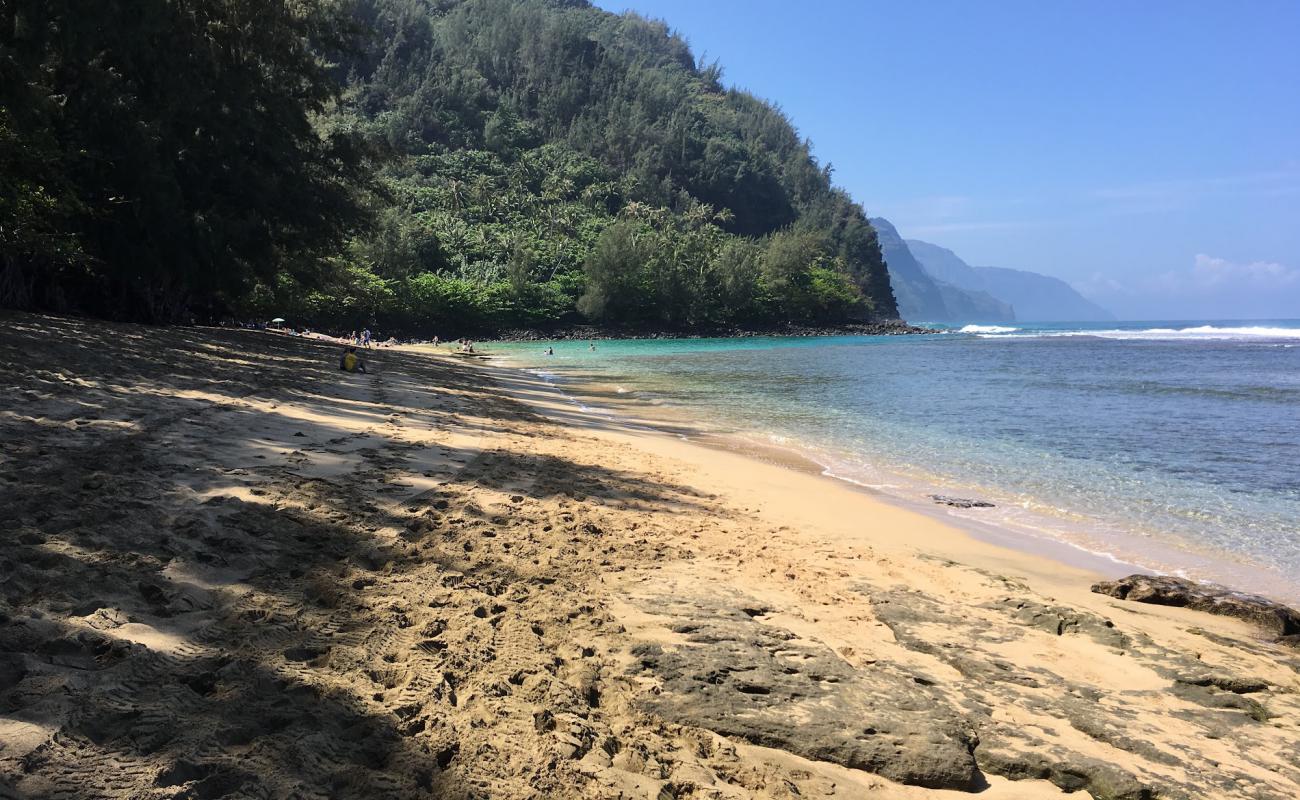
(944,698)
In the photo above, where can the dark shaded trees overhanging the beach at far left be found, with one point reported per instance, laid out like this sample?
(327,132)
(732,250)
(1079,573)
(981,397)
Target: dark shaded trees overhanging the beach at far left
(164,157)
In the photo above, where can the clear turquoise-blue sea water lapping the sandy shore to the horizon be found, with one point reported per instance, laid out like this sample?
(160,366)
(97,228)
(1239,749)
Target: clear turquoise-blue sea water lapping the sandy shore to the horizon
(1169,446)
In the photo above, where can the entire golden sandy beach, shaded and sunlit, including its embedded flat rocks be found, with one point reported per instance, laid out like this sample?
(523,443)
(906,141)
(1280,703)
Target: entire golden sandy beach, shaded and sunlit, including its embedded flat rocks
(232,570)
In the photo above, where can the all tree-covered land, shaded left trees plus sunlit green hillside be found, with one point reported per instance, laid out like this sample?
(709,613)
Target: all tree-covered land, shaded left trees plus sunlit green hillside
(418,166)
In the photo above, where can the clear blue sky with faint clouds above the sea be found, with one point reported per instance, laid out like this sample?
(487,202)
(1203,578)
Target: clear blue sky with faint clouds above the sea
(1146,152)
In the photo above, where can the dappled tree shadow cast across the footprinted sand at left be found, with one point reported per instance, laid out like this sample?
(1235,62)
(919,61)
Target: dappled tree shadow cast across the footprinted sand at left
(180,624)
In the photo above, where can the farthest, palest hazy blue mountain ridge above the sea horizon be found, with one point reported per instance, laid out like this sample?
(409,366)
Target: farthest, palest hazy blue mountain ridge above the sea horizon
(1035,297)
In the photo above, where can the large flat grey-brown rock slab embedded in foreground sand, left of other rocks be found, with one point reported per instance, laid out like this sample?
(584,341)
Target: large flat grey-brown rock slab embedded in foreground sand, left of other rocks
(743,678)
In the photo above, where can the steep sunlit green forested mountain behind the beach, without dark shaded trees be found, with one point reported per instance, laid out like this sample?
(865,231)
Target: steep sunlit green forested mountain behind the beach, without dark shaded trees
(556,163)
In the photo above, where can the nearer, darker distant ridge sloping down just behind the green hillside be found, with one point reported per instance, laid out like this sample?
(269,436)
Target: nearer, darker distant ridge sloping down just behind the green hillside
(922,297)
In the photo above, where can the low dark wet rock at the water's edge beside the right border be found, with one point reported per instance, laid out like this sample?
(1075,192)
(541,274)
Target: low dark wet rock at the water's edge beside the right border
(1276,620)
